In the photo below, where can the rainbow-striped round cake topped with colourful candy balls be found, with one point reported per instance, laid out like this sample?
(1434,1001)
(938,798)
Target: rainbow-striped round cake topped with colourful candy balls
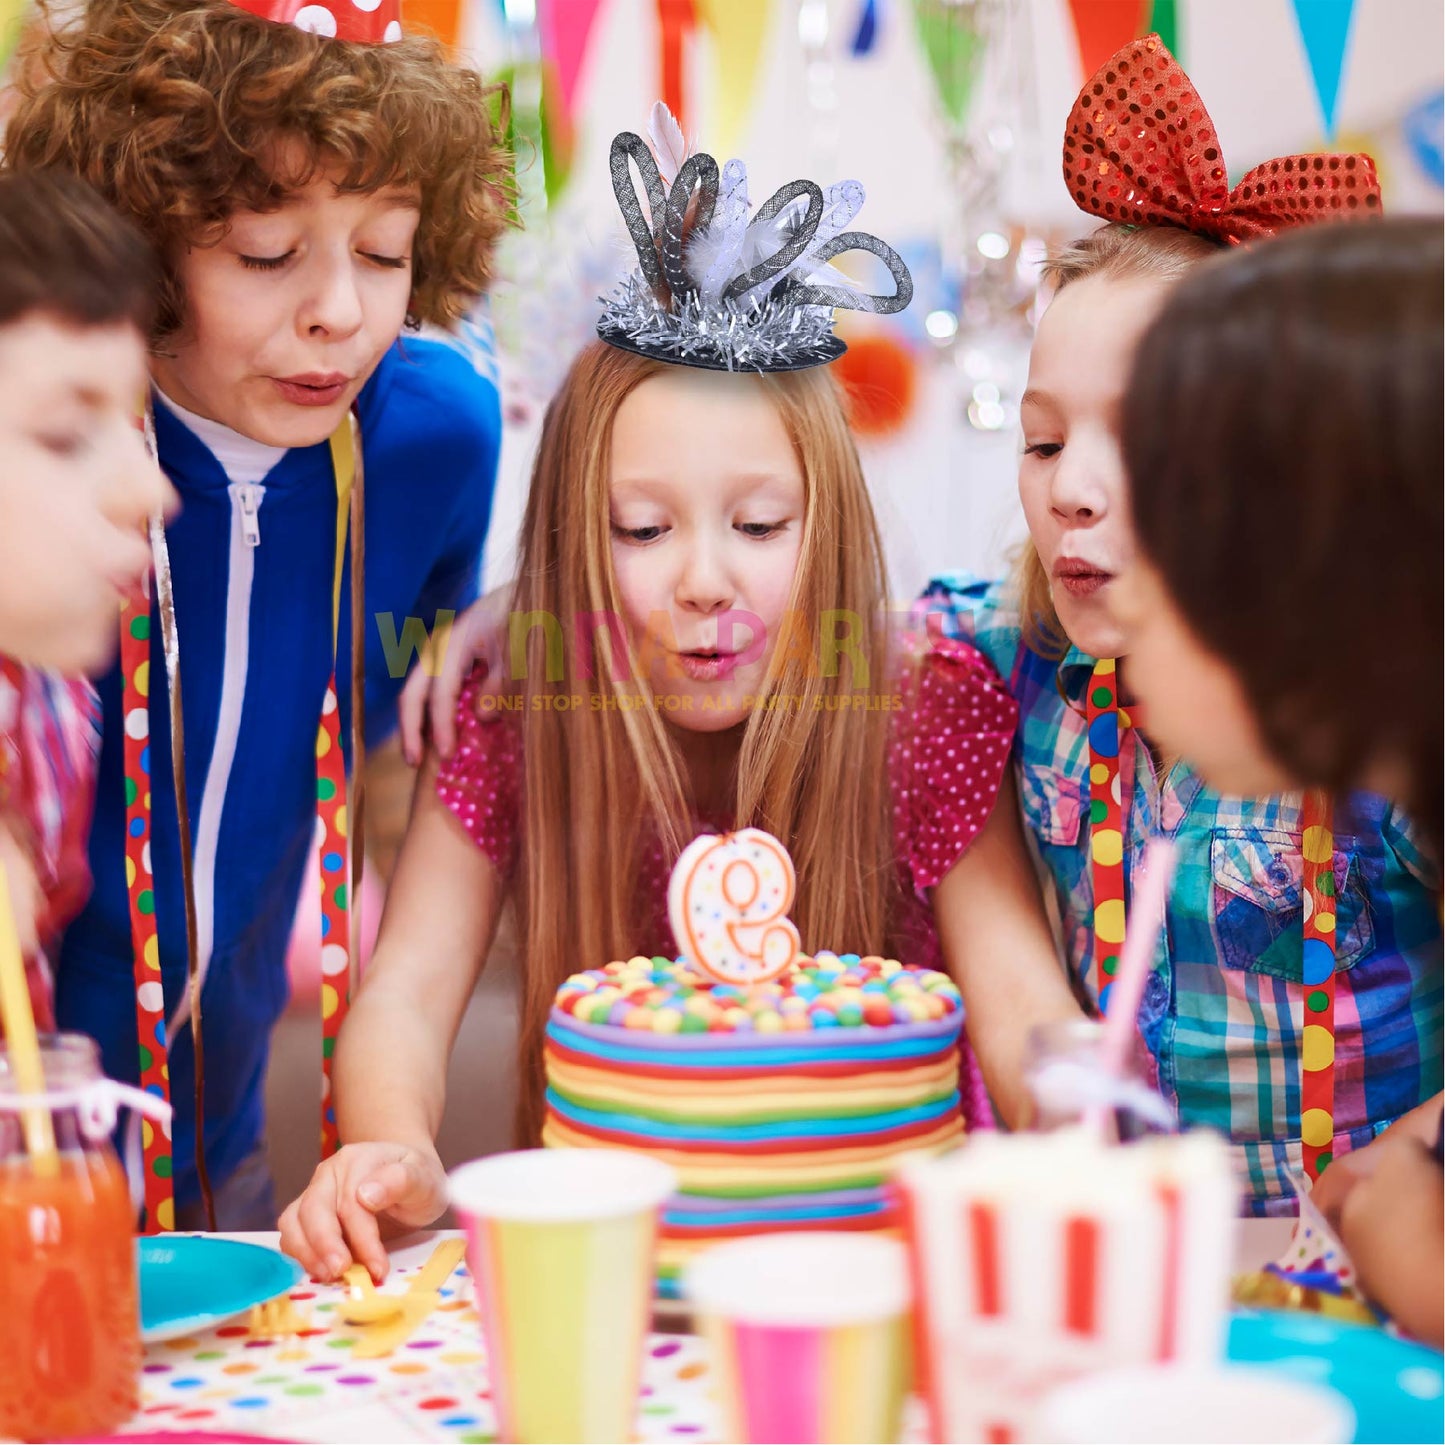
(782,1106)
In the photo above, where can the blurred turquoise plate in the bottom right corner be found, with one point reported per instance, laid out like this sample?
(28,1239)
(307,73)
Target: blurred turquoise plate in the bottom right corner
(1397,1388)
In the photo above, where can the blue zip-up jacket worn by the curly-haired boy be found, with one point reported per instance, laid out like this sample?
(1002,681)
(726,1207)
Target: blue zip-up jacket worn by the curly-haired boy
(254,593)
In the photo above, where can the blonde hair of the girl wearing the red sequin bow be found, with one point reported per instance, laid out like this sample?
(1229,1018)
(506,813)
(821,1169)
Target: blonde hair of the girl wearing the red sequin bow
(1115,251)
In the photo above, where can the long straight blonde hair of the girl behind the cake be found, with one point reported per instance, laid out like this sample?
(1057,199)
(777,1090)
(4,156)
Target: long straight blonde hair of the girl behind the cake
(600,785)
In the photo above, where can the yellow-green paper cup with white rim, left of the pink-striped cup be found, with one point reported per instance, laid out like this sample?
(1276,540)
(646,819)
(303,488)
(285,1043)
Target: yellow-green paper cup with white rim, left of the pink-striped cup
(563,1251)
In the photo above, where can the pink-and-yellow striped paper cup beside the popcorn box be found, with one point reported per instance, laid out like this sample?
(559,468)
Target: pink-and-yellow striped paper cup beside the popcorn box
(808,1334)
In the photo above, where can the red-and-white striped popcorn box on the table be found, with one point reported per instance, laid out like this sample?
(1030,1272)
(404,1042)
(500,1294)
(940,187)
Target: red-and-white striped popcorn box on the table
(1044,1258)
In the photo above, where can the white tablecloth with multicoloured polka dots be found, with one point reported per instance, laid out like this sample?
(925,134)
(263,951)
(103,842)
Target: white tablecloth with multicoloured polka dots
(434,1388)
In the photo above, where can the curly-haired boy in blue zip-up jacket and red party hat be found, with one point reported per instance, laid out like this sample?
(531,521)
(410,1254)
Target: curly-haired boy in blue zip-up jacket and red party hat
(326,194)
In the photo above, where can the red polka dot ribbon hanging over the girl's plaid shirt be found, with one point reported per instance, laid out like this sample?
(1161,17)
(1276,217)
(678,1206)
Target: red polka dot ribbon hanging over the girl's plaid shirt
(1106,722)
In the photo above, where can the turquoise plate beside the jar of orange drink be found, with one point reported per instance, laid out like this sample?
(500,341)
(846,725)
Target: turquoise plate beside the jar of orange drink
(191,1282)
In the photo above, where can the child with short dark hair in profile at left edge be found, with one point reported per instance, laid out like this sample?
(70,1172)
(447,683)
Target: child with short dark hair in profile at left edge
(76,491)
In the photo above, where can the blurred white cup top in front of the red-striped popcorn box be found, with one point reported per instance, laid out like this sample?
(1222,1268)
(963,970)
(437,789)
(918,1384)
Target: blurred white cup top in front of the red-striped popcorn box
(1184,1405)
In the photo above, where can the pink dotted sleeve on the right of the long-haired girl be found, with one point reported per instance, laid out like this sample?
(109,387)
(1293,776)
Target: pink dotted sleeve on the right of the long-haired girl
(949,759)
